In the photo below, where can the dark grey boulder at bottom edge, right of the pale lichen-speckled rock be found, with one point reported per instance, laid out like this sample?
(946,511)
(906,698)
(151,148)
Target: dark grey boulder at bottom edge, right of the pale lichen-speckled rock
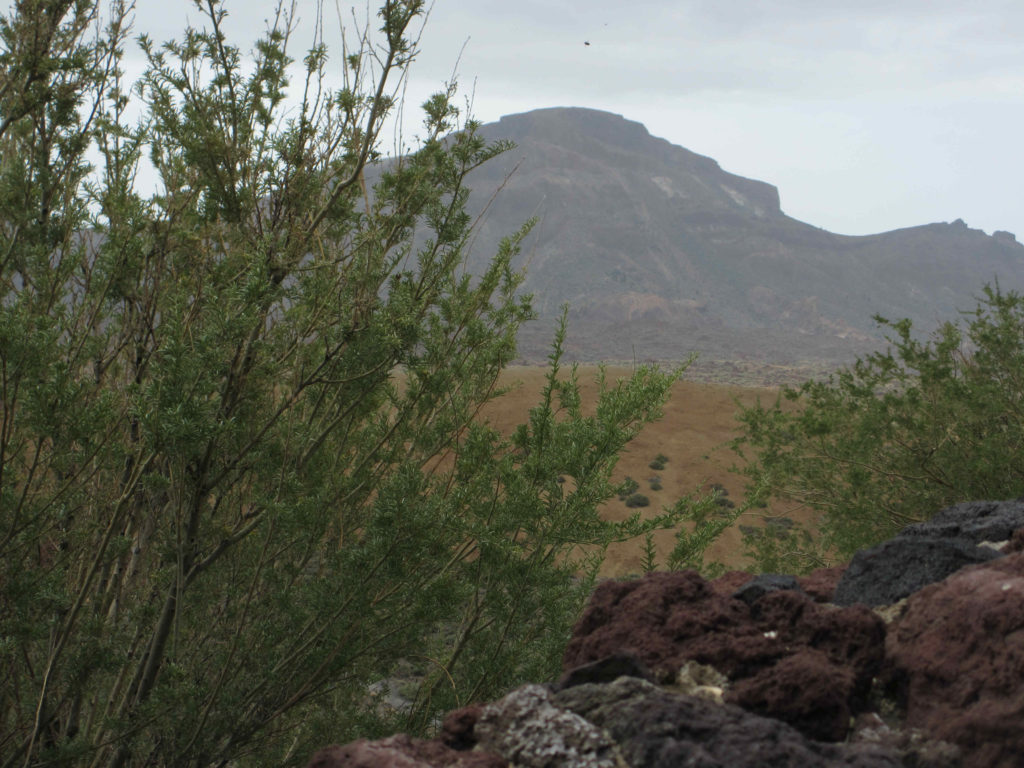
(655,729)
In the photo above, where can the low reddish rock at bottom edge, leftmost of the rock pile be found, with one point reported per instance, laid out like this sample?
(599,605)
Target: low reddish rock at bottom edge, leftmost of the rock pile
(402,752)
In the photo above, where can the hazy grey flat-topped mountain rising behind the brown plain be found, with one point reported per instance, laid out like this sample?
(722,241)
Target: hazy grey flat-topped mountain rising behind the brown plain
(660,252)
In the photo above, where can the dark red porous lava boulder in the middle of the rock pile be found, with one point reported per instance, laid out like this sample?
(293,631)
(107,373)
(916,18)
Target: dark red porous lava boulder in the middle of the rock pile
(784,641)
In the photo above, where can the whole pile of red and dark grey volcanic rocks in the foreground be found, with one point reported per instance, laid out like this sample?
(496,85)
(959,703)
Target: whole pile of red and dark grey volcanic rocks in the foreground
(913,655)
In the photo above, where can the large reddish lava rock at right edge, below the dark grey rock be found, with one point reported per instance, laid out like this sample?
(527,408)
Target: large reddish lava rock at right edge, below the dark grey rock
(957,658)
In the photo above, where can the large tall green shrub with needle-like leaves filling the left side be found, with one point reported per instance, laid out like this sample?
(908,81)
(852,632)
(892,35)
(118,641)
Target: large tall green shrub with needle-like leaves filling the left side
(242,476)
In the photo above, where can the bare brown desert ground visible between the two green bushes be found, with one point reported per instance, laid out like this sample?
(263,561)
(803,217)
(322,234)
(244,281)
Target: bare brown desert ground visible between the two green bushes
(700,421)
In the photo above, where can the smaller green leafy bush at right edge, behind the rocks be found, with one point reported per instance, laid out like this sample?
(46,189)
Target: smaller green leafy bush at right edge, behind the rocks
(902,434)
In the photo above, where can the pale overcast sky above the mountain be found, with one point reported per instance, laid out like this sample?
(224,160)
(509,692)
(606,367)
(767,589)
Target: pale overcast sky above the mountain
(868,115)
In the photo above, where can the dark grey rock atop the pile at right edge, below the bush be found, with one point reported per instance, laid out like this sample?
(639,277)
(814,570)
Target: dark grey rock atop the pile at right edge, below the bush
(928,552)
